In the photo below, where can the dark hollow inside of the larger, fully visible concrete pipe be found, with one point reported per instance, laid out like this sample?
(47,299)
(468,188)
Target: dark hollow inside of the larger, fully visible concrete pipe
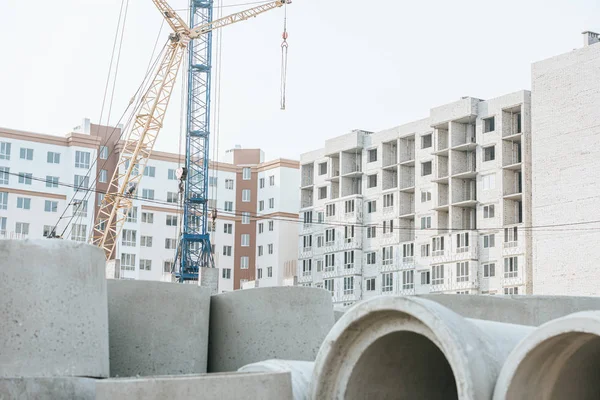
(402,365)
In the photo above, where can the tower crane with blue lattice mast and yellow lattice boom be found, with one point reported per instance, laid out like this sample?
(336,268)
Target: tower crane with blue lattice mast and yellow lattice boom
(140,139)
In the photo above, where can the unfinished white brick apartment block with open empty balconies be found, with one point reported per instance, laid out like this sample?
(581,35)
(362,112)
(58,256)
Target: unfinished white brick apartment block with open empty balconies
(436,205)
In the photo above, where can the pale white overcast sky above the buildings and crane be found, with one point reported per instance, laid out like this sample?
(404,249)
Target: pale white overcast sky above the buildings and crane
(351,65)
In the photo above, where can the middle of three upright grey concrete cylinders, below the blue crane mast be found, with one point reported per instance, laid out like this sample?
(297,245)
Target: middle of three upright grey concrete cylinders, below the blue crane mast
(157,328)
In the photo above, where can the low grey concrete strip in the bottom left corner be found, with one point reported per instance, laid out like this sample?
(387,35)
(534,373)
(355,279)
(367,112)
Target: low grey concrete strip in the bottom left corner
(56,388)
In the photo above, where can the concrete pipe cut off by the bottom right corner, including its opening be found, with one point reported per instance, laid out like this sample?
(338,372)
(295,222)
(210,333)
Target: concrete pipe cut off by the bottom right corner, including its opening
(559,360)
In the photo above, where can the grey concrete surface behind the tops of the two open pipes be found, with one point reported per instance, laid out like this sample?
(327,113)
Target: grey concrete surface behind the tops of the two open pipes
(521,310)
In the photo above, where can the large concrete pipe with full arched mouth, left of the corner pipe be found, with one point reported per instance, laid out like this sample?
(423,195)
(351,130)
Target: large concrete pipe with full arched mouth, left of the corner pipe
(407,347)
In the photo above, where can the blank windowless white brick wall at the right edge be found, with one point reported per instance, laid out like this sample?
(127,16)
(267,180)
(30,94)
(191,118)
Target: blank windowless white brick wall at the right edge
(566,158)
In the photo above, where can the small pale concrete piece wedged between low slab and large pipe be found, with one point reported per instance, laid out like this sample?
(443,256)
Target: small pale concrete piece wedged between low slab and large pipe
(301,372)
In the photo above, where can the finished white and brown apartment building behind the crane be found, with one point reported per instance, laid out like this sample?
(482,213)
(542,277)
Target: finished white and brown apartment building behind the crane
(253,237)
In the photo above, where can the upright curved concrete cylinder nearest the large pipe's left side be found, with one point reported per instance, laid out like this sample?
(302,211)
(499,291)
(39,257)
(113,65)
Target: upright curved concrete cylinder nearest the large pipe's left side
(254,325)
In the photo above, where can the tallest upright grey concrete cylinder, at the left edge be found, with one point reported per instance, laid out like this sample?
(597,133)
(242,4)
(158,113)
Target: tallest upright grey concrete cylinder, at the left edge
(53,312)
